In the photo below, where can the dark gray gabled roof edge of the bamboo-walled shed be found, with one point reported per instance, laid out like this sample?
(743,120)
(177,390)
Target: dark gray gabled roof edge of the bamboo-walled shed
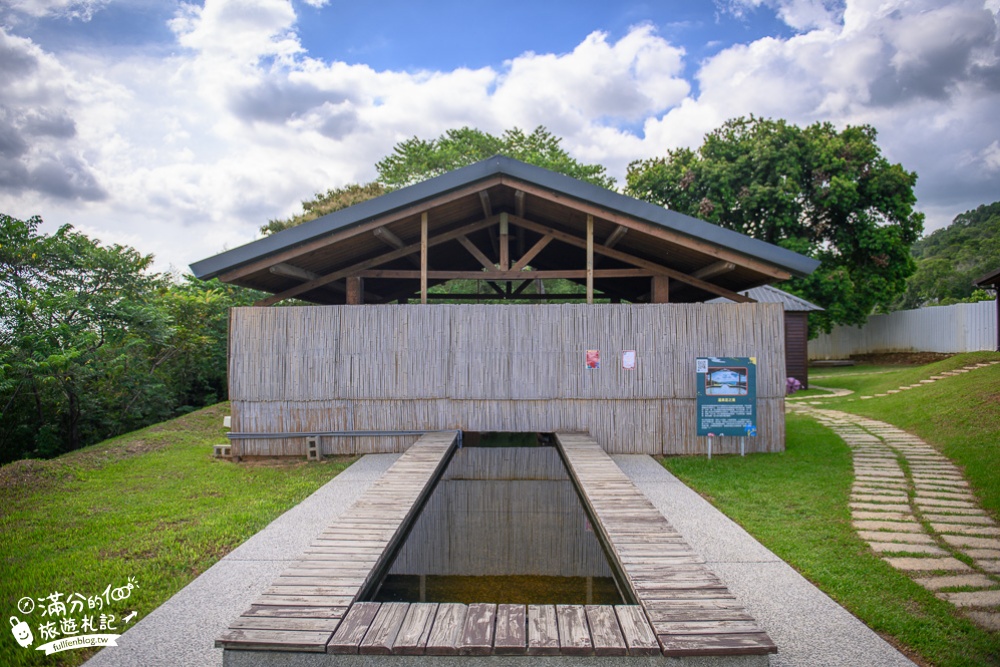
(562,185)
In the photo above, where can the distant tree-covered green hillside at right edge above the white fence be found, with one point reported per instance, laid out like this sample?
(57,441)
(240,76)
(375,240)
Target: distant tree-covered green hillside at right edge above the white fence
(950,259)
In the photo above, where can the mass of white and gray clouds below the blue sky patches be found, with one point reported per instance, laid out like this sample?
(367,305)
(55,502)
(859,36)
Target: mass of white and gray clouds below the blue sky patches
(188,154)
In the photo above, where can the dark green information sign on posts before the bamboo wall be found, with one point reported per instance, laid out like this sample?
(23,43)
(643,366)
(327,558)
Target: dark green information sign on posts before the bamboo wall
(727,397)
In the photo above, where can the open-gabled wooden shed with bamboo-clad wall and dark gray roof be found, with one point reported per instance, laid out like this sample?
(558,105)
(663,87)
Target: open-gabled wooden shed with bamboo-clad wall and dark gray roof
(385,356)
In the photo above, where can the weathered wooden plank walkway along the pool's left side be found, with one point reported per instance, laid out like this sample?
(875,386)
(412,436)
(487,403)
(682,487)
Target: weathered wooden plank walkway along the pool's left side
(303,608)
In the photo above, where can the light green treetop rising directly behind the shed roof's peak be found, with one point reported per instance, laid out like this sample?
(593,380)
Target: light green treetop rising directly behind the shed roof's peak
(415,160)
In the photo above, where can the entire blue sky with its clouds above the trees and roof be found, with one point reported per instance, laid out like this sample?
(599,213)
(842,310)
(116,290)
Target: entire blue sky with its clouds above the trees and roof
(180,128)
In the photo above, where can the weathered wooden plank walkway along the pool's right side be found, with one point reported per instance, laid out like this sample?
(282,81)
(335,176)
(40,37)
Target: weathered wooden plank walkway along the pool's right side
(690,610)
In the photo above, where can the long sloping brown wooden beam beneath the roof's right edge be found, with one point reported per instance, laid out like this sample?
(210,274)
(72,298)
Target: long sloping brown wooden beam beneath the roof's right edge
(649,228)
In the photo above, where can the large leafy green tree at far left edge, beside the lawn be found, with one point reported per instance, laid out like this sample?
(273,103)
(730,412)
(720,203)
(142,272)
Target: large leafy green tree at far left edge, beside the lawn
(80,337)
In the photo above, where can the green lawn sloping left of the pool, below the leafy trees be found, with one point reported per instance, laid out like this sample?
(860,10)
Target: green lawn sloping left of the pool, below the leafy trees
(153,505)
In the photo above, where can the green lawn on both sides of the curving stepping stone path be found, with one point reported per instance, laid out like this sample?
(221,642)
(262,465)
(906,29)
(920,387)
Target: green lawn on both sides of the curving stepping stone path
(796,503)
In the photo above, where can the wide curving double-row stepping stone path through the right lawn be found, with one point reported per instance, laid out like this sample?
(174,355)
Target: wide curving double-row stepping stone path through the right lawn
(912,506)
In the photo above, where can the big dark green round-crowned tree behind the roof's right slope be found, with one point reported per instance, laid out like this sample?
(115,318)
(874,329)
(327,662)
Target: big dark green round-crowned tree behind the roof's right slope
(814,190)
